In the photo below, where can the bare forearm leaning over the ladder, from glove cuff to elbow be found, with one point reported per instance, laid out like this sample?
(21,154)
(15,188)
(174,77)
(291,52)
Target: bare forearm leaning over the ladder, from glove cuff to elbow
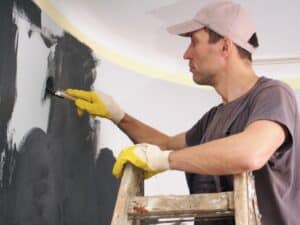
(213,158)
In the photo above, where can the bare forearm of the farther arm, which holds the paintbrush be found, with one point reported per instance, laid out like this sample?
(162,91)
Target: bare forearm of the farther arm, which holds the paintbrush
(139,132)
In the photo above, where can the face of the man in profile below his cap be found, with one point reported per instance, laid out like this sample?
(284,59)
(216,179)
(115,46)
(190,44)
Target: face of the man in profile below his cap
(205,60)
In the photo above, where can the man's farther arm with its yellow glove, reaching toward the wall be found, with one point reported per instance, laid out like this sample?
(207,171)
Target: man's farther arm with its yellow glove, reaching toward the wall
(97,103)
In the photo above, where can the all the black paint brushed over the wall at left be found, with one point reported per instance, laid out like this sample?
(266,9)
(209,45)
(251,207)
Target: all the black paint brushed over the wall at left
(52,177)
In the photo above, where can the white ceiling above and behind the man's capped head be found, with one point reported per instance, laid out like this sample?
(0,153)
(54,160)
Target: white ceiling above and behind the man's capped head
(133,31)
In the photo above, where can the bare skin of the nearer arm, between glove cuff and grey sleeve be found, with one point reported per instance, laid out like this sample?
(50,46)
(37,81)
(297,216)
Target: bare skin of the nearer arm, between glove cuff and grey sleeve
(246,151)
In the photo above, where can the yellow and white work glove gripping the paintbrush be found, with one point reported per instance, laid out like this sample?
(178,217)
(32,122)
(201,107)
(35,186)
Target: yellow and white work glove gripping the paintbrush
(97,103)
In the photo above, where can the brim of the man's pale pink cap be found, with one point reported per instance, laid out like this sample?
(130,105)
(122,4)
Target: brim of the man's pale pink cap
(185,28)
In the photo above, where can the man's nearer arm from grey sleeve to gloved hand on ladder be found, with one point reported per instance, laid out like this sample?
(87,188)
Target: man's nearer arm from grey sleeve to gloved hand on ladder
(246,151)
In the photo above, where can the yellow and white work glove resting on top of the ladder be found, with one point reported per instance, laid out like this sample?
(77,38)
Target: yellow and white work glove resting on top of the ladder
(149,158)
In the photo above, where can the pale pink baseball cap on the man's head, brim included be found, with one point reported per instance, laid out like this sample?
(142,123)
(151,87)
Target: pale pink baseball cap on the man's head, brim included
(223,17)
